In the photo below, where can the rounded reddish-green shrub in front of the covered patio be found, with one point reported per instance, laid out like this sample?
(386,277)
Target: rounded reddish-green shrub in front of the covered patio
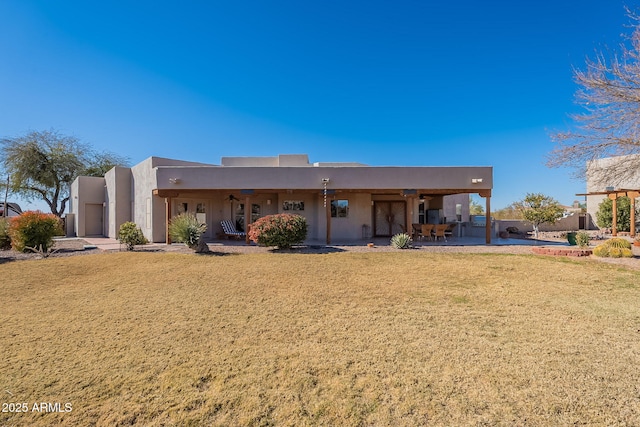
(280,230)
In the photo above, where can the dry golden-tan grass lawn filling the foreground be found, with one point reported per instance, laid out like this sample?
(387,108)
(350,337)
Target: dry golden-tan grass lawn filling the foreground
(353,339)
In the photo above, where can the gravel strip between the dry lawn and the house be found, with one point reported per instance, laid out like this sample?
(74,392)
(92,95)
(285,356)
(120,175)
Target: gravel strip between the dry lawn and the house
(75,247)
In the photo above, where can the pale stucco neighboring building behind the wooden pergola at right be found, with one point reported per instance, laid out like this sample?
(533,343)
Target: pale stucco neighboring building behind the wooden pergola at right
(609,174)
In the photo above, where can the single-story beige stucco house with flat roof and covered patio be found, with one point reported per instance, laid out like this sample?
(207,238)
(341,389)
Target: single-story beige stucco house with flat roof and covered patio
(341,201)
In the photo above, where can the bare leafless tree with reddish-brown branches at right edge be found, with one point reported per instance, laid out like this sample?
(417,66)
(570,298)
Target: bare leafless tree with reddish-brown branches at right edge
(610,96)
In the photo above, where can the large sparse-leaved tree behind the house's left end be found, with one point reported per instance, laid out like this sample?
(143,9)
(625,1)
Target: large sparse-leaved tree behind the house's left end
(42,165)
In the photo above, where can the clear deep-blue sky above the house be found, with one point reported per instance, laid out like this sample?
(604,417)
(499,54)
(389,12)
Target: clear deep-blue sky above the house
(384,83)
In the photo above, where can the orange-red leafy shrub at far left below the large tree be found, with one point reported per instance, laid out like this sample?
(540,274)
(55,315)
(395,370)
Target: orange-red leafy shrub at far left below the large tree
(34,229)
